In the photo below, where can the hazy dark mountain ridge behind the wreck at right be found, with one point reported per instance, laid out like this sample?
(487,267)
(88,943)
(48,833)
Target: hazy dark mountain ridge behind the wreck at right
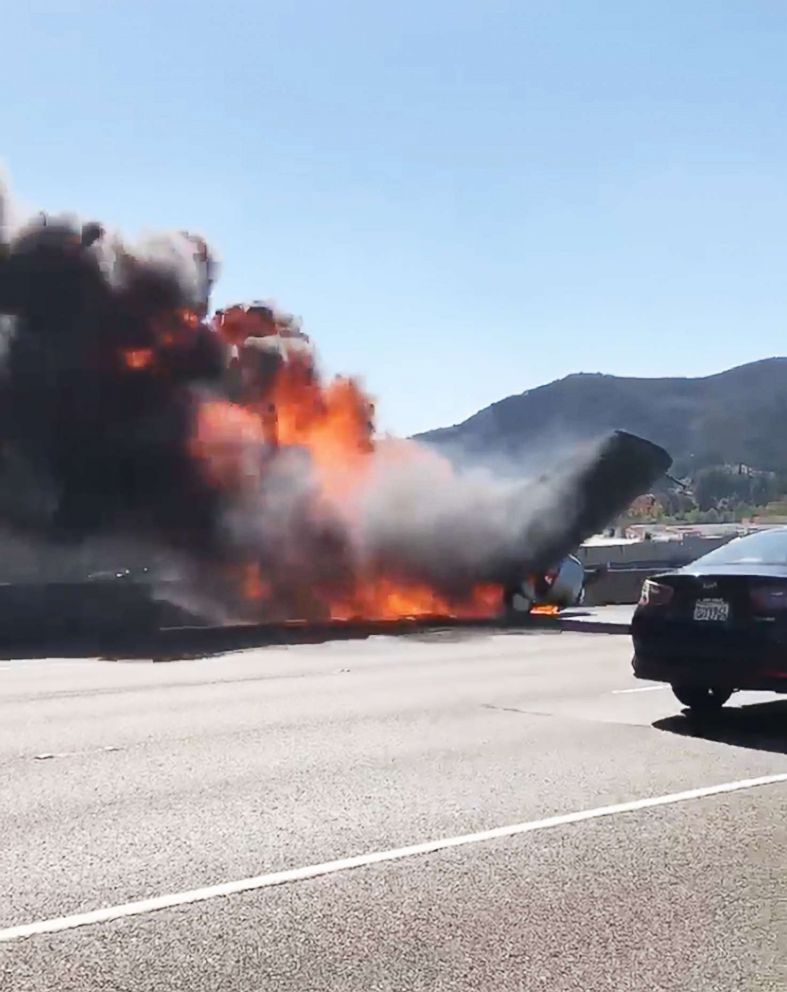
(727,417)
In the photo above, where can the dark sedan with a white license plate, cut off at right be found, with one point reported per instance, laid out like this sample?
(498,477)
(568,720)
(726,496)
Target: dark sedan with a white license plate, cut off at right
(719,624)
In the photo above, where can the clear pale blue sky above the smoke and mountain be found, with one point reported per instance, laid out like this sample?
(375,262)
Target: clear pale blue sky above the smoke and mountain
(461,199)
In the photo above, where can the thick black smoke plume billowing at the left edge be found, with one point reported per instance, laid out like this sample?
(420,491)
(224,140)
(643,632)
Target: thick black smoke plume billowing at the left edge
(90,442)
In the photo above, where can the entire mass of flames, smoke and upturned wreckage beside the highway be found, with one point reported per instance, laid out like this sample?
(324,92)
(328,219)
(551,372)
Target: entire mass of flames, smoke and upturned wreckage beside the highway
(210,459)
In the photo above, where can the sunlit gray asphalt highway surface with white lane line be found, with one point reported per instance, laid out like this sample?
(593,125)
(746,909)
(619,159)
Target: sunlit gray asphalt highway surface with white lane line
(451,765)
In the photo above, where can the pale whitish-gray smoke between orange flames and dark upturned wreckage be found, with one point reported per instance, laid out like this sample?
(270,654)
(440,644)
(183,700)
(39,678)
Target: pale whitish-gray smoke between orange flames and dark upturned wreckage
(406,514)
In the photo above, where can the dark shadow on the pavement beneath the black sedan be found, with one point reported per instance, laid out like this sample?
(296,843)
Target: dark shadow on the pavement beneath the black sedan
(760,726)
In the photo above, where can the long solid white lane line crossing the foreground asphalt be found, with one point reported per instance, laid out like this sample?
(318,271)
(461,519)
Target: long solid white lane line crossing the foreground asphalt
(144,906)
